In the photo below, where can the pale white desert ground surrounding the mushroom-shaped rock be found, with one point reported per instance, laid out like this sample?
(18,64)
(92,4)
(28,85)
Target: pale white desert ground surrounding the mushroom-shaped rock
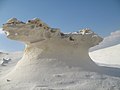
(71,78)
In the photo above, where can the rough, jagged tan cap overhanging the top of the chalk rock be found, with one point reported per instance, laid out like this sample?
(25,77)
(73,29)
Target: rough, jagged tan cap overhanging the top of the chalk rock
(36,30)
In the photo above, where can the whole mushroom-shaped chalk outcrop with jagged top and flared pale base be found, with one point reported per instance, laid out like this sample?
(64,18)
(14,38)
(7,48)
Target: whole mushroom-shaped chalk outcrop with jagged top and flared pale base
(49,49)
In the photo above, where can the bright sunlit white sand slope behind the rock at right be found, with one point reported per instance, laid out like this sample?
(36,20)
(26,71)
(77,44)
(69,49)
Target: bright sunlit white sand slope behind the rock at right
(109,55)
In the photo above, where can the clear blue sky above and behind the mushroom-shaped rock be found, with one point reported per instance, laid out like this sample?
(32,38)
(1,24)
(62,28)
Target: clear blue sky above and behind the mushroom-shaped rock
(102,16)
